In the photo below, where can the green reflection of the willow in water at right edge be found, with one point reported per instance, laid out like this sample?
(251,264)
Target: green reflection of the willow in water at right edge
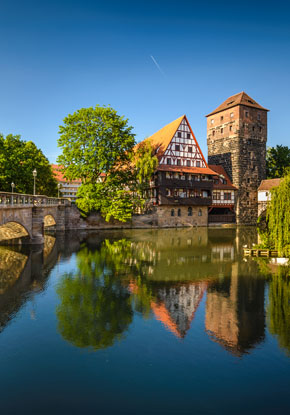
(279,307)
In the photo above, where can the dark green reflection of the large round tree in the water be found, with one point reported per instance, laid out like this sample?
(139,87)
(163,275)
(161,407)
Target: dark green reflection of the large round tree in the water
(95,306)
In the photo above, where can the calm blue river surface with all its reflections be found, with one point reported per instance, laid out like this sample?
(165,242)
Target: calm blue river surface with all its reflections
(144,322)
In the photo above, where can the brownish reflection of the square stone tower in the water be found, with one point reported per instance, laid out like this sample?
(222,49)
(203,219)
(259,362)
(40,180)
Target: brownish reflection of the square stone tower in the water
(235,315)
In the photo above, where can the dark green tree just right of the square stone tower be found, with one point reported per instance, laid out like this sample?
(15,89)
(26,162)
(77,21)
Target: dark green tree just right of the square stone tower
(278,161)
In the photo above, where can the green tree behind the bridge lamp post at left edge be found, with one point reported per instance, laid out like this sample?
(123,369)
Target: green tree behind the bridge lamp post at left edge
(18,159)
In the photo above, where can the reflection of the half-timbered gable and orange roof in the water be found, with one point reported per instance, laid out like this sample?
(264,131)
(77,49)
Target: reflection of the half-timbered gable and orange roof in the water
(175,306)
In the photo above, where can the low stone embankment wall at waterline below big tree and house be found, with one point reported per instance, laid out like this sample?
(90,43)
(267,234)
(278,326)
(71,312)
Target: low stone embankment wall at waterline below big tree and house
(159,218)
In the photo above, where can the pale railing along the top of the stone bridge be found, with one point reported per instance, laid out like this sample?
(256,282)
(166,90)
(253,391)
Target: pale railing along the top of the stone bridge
(9,200)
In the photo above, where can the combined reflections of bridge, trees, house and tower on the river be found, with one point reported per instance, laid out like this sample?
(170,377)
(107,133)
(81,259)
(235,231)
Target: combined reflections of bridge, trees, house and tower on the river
(164,275)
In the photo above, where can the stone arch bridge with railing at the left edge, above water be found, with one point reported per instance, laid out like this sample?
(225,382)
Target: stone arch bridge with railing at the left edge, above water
(25,216)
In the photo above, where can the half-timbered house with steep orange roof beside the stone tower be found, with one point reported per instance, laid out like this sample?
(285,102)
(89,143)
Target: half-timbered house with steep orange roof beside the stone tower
(182,185)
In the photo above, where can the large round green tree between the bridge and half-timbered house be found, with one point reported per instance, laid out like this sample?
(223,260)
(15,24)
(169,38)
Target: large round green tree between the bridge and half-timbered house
(96,141)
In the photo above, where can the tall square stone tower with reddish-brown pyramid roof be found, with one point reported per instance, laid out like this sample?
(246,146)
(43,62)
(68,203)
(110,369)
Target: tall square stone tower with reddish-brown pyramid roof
(236,139)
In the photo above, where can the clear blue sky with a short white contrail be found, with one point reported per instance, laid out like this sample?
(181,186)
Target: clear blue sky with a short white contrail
(59,56)
